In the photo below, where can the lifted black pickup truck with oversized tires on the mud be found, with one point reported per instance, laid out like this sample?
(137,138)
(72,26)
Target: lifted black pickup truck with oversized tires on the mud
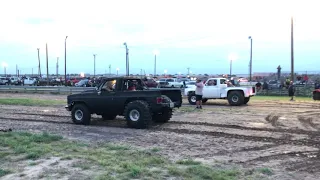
(124,96)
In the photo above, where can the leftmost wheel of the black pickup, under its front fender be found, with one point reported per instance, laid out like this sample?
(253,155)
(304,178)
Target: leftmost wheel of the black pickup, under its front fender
(81,114)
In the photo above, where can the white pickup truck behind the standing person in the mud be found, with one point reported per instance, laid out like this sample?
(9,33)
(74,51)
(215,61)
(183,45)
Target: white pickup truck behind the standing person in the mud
(216,88)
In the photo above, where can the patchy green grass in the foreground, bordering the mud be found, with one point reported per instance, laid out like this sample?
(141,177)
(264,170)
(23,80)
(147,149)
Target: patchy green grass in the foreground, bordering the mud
(113,160)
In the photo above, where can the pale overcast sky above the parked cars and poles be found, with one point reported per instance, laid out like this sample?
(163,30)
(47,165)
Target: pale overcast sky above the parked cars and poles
(197,34)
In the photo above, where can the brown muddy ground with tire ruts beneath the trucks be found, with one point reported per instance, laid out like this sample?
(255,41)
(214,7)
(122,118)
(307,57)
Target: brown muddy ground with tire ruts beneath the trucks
(281,135)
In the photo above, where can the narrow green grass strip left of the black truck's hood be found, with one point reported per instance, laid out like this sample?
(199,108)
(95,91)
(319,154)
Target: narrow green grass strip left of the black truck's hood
(30,102)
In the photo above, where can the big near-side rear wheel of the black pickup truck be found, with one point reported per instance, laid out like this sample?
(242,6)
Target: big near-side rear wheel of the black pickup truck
(137,114)
